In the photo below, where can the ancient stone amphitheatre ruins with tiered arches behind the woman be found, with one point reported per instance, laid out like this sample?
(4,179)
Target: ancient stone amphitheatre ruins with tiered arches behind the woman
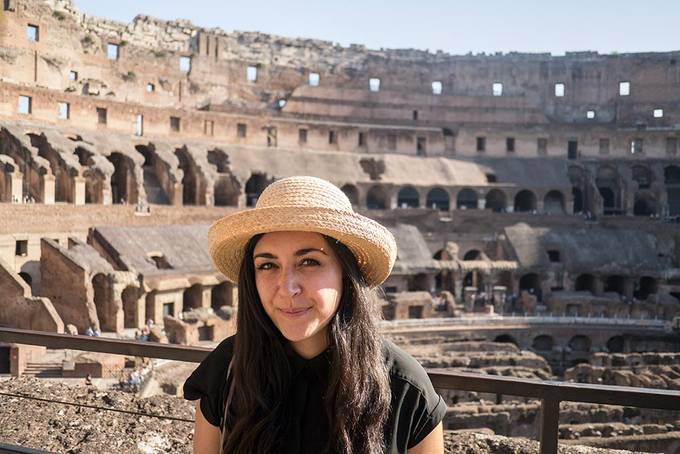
(535,200)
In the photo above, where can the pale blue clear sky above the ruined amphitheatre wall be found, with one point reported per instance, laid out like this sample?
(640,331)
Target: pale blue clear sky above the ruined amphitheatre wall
(454,26)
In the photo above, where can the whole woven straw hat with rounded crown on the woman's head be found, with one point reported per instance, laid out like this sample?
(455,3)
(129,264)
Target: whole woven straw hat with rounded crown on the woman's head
(306,204)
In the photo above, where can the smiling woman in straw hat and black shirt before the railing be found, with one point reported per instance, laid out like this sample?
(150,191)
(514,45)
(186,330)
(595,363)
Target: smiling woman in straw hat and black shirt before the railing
(307,371)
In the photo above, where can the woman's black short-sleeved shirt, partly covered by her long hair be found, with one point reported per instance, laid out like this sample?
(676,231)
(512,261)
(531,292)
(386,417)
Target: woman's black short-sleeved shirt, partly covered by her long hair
(415,408)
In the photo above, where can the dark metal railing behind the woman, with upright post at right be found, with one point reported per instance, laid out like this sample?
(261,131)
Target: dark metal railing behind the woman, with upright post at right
(551,393)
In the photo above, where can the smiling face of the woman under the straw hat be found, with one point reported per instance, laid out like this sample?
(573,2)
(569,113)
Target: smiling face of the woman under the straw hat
(299,280)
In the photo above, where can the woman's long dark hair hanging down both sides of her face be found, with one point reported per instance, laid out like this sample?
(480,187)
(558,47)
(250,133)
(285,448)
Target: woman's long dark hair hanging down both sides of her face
(357,399)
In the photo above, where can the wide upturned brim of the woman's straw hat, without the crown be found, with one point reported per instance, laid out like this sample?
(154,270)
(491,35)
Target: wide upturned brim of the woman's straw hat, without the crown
(371,243)
